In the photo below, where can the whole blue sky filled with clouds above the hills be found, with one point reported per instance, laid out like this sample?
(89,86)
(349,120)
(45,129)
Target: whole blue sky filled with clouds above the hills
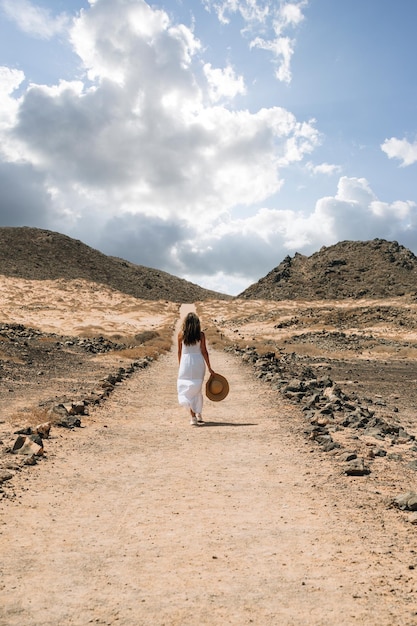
(210,138)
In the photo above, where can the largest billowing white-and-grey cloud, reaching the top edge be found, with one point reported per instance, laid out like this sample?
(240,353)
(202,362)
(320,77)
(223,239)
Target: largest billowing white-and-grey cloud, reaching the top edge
(141,137)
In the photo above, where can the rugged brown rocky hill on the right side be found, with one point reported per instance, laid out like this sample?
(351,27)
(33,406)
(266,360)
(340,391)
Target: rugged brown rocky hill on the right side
(349,269)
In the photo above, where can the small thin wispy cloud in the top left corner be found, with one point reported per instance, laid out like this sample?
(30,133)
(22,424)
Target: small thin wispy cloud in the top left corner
(34,20)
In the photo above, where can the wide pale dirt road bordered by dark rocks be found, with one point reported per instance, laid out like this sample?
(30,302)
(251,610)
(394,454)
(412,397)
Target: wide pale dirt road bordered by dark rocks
(140,519)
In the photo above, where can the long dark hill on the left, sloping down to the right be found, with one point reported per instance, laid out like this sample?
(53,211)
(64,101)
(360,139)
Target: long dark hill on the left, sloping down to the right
(37,254)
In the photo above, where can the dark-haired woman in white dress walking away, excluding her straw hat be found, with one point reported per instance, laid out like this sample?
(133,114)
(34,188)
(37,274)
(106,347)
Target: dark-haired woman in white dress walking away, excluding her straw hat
(193,358)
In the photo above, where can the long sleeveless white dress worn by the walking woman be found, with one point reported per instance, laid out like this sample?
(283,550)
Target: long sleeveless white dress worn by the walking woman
(190,377)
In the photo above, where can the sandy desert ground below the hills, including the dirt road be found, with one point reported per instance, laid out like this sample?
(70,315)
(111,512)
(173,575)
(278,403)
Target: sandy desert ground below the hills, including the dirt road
(136,518)
